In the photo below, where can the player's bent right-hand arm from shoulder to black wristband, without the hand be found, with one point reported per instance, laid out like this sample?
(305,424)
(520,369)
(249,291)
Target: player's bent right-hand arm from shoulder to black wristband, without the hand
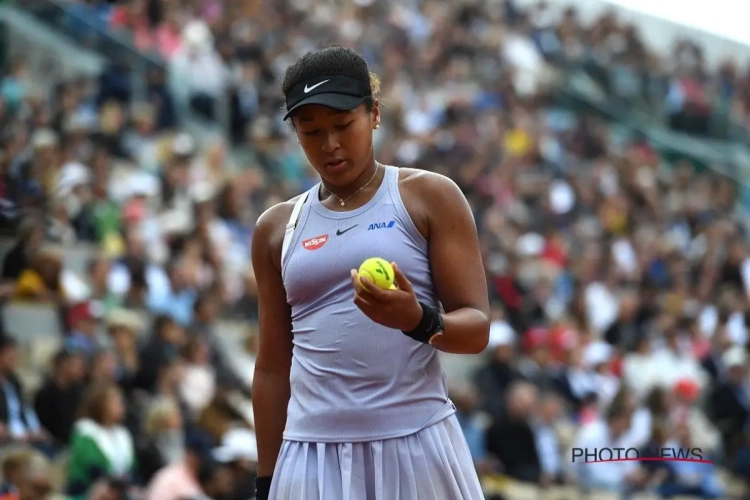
(456,264)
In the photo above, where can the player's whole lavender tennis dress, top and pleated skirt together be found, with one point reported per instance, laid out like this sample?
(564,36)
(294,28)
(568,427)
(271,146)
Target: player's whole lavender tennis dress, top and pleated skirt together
(369,416)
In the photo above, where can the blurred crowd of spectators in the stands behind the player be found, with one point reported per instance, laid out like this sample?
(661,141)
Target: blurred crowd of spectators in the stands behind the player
(604,152)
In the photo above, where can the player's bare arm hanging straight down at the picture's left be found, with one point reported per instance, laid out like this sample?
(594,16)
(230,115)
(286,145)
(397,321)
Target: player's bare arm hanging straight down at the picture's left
(271,389)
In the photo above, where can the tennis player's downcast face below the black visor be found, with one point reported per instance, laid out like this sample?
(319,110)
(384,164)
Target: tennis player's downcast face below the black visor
(337,143)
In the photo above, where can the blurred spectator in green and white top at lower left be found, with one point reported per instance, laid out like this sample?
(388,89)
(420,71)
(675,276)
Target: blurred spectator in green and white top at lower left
(101,447)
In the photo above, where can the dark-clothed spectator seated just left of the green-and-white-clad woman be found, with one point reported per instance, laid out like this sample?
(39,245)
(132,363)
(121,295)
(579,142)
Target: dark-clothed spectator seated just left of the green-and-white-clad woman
(57,402)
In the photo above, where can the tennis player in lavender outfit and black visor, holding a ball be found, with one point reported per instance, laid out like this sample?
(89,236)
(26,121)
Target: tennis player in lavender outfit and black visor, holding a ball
(366,407)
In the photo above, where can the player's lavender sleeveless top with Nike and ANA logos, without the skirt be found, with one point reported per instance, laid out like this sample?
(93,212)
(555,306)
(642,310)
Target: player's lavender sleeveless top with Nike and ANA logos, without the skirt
(351,378)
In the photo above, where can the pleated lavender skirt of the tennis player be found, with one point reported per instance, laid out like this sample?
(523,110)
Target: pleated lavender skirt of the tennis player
(433,464)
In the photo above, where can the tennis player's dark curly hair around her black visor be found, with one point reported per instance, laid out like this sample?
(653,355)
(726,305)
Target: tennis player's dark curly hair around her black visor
(333,60)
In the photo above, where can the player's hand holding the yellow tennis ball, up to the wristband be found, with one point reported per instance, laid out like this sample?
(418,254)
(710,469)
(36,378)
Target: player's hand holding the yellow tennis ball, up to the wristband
(398,308)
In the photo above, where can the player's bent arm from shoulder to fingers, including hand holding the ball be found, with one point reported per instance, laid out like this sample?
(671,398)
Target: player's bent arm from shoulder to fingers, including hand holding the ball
(442,216)
